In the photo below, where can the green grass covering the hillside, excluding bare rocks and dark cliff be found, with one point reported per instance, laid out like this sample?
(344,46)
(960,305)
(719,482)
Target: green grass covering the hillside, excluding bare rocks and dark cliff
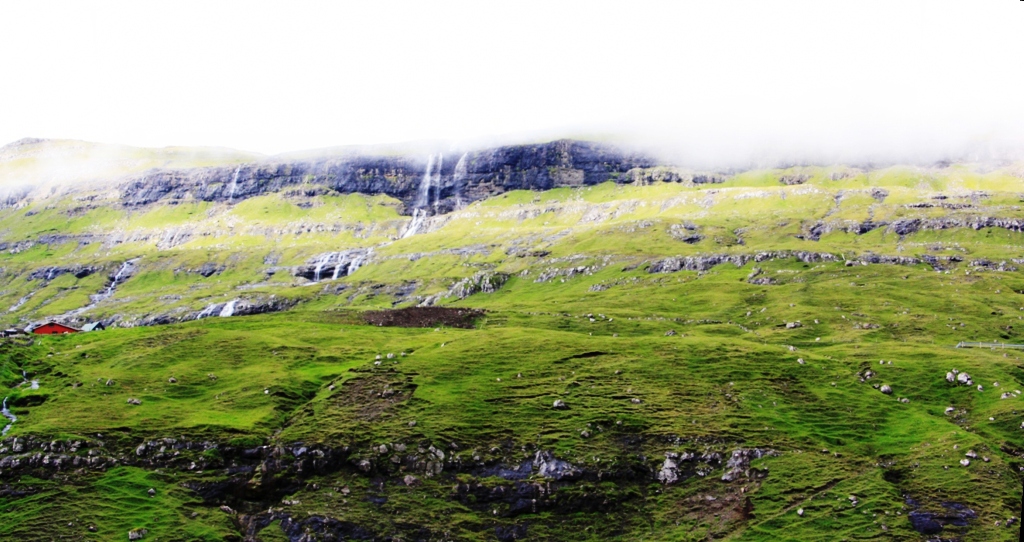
(730,379)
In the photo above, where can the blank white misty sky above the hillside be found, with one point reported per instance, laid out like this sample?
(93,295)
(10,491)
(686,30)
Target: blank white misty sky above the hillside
(714,78)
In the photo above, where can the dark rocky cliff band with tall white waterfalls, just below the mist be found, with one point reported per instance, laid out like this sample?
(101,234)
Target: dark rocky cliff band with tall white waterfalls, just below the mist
(451,182)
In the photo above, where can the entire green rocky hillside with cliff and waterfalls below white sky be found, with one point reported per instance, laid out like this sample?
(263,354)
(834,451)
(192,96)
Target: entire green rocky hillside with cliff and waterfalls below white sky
(553,342)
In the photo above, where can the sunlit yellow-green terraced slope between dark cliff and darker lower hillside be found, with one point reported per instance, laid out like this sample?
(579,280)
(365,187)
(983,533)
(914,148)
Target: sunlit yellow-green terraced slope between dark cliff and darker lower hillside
(252,246)
